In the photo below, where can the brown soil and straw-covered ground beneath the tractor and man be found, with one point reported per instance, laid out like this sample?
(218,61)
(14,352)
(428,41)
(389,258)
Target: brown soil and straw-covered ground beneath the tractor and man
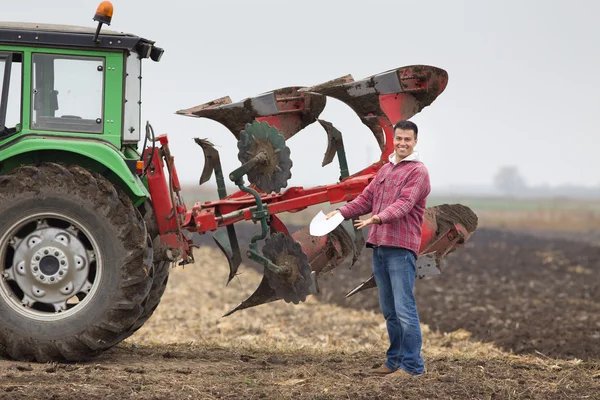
(514,315)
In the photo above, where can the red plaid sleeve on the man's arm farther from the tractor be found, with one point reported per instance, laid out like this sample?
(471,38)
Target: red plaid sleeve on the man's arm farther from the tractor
(416,188)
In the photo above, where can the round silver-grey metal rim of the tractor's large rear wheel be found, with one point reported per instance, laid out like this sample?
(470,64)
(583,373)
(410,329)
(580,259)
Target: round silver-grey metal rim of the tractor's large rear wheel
(51,266)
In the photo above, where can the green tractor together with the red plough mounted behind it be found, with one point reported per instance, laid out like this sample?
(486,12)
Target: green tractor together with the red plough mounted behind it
(91,211)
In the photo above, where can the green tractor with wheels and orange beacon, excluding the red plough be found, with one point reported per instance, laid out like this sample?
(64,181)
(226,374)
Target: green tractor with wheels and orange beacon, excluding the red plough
(72,200)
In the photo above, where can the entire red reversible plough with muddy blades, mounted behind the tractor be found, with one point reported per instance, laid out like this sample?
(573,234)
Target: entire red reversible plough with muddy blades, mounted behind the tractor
(262,125)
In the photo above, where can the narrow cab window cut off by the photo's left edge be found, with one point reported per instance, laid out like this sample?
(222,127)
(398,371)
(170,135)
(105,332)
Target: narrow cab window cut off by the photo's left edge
(10,92)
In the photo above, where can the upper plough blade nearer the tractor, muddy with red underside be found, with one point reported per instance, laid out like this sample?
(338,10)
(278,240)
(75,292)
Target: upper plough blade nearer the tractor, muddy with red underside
(287,109)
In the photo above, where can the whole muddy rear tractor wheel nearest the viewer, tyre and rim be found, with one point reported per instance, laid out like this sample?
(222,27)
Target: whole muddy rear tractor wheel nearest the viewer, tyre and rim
(75,262)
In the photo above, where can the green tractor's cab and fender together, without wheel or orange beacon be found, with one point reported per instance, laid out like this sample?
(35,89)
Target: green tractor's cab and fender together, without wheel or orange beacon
(64,100)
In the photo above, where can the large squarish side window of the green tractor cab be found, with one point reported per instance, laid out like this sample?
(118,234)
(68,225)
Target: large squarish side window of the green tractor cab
(67,93)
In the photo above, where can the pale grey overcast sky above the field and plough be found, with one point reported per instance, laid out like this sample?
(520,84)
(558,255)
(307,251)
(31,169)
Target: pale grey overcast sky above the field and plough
(523,89)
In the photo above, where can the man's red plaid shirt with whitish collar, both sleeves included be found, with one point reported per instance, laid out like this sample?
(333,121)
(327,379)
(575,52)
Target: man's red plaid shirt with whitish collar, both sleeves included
(397,195)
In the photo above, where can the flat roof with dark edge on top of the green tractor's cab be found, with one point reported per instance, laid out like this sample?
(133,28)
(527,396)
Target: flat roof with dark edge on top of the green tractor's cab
(70,36)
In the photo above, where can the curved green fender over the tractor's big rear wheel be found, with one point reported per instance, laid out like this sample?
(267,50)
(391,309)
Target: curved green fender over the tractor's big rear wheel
(96,155)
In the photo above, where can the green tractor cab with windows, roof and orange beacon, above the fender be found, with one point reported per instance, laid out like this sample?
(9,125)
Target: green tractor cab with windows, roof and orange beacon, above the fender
(65,81)
